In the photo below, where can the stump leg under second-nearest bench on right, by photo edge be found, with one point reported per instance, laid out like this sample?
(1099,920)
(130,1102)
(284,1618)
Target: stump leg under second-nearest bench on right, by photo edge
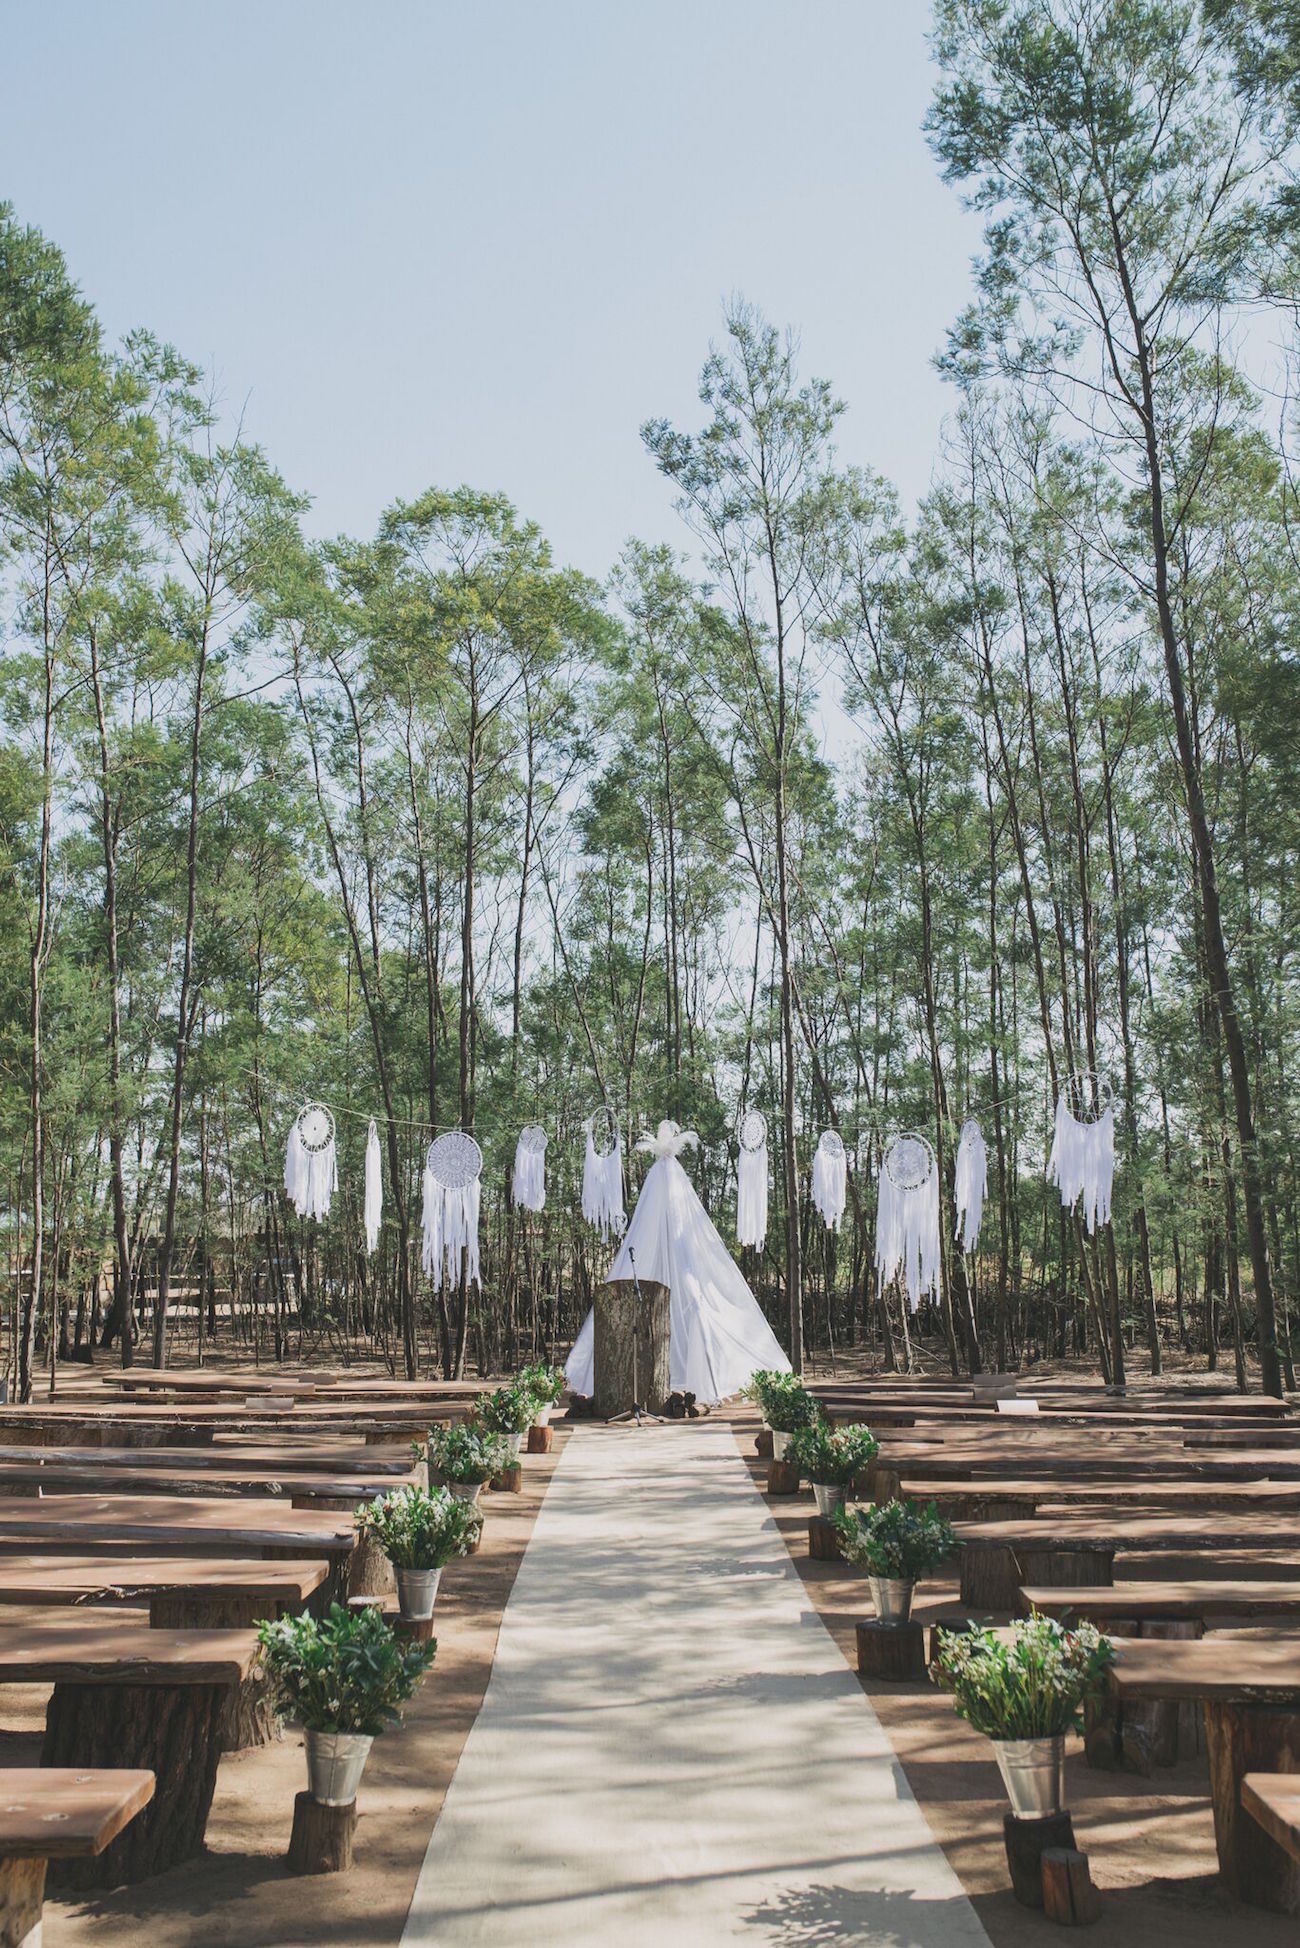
(1252,1739)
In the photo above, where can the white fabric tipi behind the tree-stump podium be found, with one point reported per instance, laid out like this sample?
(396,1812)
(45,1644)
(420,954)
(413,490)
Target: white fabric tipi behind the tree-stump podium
(718,1337)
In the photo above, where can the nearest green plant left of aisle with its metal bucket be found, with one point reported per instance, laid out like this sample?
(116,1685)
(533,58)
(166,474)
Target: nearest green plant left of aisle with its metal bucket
(344,1678)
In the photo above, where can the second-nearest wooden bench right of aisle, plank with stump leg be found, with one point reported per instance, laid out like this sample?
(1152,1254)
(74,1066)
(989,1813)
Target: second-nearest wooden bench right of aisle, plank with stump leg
(1252,1725)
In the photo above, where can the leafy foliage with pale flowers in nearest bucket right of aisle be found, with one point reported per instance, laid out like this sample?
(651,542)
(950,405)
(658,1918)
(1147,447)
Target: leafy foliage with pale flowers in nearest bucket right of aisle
(1028,1682)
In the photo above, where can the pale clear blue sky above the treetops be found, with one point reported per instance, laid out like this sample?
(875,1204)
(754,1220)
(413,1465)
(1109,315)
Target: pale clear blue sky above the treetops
(432,243)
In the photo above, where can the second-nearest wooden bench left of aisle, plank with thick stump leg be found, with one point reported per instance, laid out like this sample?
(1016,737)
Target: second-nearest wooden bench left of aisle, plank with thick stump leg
(137,1698)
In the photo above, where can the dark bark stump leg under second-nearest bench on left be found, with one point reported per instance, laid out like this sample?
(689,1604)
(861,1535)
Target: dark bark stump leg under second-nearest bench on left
(171,1731)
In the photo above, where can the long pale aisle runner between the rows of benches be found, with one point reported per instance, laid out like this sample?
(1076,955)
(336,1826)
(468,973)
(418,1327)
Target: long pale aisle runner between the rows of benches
(671,1748)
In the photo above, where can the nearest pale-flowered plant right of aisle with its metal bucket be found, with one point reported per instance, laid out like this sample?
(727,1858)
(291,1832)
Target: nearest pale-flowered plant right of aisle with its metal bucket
(1024,1690)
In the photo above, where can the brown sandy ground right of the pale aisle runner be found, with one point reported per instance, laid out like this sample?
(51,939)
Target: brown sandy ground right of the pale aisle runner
(1151,1842)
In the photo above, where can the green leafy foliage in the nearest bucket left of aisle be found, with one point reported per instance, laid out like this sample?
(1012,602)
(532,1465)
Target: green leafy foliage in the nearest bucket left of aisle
(344,1672)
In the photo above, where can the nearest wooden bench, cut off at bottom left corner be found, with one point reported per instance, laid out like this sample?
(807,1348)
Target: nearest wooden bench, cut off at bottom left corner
(56,1815)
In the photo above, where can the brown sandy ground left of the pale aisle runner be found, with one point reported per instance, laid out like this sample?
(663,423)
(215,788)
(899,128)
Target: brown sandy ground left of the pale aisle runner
(241,1892)
